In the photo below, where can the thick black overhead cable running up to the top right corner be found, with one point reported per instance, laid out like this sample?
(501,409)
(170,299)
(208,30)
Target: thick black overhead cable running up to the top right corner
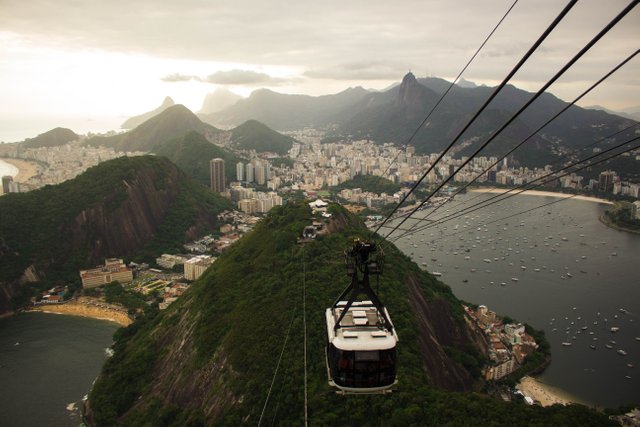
(568,65)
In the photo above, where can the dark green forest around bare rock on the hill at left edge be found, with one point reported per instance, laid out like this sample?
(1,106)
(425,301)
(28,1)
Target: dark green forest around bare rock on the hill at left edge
(45,227)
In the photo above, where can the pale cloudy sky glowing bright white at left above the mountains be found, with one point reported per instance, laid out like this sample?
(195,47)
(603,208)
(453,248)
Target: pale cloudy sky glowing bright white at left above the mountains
(89,65)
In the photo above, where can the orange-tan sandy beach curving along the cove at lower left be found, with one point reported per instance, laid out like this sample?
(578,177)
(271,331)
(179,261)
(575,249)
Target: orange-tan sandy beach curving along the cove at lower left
(89,307)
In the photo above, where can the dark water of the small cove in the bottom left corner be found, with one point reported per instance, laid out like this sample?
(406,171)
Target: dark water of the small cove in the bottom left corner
(48,362)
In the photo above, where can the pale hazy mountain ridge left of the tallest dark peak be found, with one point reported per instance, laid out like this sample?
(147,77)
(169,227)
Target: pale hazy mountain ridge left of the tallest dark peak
(287,112)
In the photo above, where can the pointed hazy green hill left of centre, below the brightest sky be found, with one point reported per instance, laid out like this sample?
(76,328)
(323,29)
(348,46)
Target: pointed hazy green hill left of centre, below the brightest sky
(174,122)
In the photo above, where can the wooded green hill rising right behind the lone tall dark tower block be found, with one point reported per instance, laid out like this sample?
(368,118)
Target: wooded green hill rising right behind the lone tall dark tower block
(192,153)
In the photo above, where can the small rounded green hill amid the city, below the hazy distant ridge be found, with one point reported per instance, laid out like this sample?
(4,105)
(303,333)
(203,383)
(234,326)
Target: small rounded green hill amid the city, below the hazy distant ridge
(253,135)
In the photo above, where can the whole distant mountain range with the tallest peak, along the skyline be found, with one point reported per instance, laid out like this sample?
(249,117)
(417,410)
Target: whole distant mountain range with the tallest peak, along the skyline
(393,115)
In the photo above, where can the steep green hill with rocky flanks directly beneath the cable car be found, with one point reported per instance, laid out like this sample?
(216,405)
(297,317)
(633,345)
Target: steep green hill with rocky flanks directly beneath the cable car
(210,358)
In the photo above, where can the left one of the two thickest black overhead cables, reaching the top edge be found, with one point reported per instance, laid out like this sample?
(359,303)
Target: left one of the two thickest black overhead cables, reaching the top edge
(497,90)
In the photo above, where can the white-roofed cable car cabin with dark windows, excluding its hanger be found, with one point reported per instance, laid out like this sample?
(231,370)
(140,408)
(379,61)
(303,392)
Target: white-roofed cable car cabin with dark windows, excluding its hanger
(361,354)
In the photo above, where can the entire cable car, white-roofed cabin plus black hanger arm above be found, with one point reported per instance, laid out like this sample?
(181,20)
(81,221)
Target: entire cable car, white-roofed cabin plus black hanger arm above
(361,351)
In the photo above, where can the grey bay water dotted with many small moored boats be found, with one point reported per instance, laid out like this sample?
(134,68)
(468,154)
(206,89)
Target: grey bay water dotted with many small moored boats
(565,237)
